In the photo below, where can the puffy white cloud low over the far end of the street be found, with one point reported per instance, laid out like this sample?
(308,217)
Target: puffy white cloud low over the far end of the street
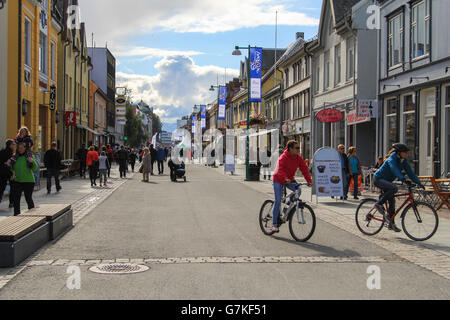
(178,86)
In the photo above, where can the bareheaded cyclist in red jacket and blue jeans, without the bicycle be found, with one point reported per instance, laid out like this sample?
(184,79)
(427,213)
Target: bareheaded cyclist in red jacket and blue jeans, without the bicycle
(287,166)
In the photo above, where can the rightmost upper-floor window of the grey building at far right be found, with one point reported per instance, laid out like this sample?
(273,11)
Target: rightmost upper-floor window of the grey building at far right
(420,27)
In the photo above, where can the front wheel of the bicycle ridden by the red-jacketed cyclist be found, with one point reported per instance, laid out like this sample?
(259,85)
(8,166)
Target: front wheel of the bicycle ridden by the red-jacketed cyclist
(303,223)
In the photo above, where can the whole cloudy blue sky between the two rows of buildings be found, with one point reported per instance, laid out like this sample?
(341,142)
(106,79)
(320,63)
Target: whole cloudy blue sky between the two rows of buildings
(169,52)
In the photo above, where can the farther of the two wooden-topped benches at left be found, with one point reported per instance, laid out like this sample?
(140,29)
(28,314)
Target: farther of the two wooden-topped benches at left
(59,216)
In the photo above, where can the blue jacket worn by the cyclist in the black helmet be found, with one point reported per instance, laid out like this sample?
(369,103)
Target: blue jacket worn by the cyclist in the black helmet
(392,168)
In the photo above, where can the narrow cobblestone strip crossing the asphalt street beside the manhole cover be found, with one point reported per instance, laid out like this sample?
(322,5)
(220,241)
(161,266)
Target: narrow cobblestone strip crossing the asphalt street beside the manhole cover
(218,260)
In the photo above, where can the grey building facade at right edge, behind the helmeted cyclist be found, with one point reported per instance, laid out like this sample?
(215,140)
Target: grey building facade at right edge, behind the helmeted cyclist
(414,90)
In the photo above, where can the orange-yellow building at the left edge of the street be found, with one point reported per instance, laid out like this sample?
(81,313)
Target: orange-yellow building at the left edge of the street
(32,68)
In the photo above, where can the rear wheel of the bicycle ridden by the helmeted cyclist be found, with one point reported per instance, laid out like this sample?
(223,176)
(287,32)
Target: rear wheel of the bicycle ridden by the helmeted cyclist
(368,219)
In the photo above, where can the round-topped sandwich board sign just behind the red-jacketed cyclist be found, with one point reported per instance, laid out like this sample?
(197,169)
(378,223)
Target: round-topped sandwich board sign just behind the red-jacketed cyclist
(328,173)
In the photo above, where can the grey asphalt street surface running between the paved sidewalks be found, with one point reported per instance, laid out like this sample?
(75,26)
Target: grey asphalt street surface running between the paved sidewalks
(213,216)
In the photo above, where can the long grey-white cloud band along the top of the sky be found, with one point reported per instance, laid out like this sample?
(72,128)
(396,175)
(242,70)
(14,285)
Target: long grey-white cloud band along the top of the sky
(117,21)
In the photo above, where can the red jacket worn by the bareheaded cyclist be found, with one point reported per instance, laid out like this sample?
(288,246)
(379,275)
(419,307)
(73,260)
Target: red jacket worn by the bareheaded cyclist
(287,167)
